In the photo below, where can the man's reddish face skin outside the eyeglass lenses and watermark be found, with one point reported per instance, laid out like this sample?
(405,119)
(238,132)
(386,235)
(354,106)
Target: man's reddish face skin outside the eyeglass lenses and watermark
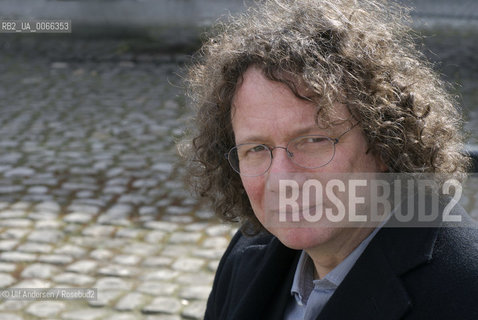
(269,113)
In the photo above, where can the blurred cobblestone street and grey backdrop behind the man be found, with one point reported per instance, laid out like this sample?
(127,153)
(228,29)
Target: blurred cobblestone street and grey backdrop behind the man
(91,191)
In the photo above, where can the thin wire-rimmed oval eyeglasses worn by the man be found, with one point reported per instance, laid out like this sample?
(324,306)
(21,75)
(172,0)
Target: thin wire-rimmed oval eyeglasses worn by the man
(308,152)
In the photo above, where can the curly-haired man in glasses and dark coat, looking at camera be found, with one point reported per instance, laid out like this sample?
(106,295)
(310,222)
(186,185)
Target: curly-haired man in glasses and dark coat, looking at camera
(316,88)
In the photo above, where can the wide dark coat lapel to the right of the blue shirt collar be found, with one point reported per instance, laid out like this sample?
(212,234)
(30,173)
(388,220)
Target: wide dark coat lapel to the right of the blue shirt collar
(373,288)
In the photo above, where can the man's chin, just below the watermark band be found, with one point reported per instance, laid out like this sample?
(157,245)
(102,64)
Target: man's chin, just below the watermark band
(304,238)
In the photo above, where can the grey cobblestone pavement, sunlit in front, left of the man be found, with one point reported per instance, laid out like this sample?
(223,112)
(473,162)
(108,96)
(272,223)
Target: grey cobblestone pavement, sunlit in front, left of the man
(91,194)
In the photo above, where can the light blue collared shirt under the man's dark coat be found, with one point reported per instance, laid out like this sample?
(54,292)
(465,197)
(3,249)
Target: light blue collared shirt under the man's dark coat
(309,296)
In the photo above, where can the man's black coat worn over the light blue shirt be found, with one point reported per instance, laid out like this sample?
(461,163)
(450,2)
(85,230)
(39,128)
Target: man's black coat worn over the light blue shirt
(404,273)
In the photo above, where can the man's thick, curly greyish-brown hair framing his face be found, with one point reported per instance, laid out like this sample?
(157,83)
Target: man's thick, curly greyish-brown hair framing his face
(362,52)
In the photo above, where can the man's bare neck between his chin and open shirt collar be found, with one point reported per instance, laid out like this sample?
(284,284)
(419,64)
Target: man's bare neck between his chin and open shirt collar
(327,256)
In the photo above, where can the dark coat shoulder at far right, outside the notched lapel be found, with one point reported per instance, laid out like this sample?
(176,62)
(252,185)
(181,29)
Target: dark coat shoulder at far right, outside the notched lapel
(447,286)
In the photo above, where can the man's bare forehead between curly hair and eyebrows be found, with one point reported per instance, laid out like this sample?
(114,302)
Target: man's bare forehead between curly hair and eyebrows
(264,108)
